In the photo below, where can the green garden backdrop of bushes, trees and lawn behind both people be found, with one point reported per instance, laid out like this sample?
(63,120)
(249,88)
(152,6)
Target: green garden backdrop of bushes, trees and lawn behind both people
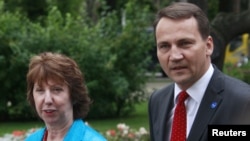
(113,43)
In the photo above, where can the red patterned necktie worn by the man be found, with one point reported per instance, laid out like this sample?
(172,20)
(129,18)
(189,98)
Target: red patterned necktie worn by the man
(179,121)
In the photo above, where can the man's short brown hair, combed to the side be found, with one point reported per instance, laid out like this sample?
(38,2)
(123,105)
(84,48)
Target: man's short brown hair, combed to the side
(184,10)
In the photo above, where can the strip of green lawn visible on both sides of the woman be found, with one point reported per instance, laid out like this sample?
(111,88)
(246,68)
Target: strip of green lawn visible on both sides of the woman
(136,120)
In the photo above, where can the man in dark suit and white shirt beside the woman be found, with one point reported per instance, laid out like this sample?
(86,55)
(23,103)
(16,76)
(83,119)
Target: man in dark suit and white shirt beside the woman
(184,49)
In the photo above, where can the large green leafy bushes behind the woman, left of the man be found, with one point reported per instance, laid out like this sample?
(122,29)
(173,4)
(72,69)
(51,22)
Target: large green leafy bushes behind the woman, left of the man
(112,57)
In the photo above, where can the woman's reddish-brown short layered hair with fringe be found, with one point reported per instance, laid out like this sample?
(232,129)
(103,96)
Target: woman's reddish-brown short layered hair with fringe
(61,69)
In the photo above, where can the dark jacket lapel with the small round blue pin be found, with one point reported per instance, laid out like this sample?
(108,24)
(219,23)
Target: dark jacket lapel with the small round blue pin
(209,104)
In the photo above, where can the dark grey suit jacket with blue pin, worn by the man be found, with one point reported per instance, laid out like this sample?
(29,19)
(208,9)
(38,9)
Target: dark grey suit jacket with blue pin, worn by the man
(233,107)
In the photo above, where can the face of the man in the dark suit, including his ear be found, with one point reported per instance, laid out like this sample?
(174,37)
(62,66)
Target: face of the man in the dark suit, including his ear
(182,53)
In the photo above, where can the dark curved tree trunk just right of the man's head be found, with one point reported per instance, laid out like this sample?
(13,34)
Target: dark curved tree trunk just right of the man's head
(225,27)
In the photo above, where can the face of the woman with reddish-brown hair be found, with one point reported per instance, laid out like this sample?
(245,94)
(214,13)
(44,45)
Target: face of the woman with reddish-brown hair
(53,103)
